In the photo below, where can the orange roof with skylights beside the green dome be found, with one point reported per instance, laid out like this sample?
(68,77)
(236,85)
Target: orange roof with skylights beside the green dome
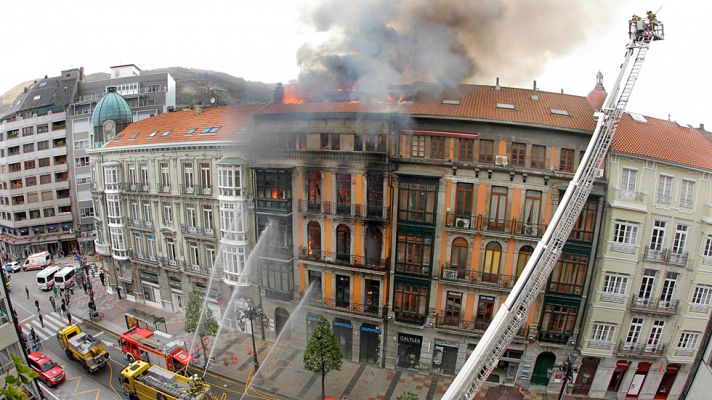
(212,124)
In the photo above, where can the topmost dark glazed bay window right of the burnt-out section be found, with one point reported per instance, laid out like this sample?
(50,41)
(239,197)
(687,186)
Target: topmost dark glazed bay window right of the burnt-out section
(417,201)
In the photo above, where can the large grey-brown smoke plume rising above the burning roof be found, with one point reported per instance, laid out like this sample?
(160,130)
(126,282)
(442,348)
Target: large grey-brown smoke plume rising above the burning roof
(375,44)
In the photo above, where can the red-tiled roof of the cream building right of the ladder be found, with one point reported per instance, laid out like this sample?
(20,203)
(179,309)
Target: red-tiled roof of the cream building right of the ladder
(663,140)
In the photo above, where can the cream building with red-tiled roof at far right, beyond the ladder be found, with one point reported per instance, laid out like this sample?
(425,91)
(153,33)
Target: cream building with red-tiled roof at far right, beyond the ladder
(650,300)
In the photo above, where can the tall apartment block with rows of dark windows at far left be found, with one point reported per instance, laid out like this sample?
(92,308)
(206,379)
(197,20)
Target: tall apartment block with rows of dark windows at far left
(35,204)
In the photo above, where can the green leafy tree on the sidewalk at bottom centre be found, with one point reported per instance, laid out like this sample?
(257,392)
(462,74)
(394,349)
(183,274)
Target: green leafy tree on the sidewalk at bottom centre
(322,353)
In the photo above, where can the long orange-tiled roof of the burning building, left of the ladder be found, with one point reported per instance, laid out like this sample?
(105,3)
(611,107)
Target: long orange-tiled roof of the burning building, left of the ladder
(473,102)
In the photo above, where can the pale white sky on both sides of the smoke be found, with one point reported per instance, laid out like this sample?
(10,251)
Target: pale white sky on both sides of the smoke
(258,40)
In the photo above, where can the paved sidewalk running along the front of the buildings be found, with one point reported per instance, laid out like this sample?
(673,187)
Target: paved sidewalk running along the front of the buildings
(281,370)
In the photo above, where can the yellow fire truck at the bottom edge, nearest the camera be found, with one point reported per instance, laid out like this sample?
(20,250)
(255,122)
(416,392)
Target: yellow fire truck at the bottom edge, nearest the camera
(143,381)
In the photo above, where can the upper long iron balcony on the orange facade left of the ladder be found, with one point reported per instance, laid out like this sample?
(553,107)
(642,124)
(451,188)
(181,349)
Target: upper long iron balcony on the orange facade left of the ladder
(482,224)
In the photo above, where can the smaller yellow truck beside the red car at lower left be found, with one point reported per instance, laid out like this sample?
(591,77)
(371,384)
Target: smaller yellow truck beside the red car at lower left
(82,347)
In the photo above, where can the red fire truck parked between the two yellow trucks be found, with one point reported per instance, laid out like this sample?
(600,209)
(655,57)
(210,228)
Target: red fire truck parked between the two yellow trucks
(155,347)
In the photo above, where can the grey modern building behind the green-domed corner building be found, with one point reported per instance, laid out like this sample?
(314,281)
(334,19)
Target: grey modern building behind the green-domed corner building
(147,95)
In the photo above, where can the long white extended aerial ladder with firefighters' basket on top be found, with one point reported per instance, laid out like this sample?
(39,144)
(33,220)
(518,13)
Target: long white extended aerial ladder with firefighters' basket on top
(514,310)
